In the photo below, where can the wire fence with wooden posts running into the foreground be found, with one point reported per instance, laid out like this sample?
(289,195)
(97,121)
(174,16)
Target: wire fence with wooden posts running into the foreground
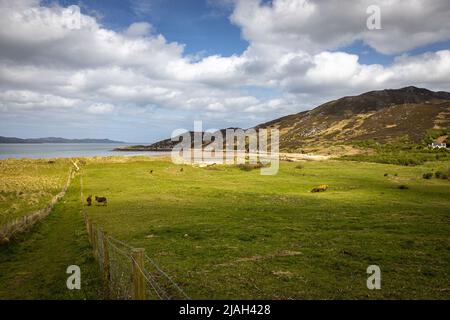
(128,272)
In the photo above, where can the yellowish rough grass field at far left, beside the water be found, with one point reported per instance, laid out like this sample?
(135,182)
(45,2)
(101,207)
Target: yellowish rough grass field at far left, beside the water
(28,185)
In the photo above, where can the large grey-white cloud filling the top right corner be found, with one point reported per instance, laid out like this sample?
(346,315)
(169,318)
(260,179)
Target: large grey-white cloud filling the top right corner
(314,26)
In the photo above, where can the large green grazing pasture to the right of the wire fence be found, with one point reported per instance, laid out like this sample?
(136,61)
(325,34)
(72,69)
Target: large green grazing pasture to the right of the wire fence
(222,232)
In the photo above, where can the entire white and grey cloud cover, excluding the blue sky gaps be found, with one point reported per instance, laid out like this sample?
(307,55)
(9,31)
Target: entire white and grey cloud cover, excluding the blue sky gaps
(45,65)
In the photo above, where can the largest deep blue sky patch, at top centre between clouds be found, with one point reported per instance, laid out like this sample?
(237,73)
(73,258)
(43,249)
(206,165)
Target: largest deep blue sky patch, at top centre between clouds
(201,25)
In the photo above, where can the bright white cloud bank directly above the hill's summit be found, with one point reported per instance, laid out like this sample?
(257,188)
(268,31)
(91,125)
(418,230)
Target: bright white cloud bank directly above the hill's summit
(339,73)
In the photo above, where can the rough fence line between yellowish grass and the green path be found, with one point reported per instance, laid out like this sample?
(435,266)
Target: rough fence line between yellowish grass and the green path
(24,224)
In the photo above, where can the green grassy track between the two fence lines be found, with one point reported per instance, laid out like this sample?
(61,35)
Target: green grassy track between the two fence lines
(35,267)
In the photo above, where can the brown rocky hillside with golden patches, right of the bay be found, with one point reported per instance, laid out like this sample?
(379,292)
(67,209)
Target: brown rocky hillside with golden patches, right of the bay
(377,115)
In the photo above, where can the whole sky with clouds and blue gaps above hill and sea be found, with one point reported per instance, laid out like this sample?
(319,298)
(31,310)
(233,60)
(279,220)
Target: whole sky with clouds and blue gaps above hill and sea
(136,70)
